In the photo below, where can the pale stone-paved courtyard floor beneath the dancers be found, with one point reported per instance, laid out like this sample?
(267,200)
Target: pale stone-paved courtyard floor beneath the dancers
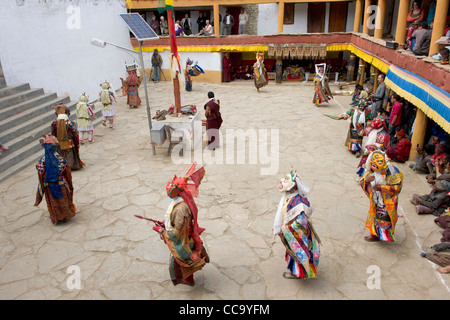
(121,257)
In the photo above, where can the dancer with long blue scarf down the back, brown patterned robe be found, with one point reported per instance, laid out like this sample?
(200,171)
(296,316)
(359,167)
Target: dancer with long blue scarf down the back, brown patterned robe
(55,182)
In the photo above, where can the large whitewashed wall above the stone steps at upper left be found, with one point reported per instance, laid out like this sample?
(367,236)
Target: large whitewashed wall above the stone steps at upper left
(41,44)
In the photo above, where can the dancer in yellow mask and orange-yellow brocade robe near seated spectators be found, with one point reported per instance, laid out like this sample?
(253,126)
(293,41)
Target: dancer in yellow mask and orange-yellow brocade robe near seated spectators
(382,216)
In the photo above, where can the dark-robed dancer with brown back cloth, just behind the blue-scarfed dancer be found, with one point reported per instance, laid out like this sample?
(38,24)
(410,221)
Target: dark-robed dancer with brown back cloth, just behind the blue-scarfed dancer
(68,139)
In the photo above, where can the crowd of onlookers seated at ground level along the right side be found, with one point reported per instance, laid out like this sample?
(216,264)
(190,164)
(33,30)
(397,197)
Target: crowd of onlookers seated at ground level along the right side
(432,161)
